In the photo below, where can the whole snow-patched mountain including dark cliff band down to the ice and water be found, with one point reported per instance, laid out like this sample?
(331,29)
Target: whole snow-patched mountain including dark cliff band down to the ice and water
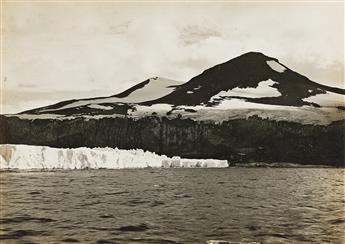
(249,109)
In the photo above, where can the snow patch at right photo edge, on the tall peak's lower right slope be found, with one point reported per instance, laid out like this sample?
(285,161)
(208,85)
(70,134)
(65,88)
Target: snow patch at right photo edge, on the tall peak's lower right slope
(328,99)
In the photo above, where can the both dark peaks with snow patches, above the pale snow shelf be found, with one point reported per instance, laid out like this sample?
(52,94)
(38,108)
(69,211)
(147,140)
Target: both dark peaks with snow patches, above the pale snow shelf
(252,77)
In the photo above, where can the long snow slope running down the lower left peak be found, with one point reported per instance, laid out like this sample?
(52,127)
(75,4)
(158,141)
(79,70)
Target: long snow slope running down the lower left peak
(156,88)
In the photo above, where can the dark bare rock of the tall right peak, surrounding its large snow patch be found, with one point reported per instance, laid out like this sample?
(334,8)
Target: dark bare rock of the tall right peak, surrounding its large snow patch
(247,71)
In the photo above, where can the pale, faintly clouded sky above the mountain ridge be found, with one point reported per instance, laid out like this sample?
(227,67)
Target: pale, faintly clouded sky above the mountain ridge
(54,51)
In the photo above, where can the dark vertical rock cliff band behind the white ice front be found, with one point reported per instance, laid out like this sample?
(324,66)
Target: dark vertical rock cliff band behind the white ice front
(239,141)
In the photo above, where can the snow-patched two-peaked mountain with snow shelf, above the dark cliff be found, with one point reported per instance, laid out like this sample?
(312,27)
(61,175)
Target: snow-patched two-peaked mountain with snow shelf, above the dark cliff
(250,81)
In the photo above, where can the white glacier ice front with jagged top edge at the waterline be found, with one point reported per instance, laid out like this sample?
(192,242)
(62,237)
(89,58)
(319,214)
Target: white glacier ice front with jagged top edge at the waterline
(26,157)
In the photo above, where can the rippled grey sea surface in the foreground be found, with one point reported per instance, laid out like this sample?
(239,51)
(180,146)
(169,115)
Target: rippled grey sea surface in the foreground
(174,206)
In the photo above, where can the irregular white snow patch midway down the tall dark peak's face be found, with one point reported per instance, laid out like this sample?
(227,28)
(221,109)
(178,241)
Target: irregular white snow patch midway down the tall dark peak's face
(263,89)
